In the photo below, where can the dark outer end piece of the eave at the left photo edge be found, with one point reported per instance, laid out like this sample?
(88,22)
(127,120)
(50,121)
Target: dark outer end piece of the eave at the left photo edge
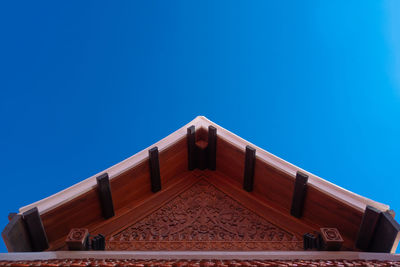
(16,236)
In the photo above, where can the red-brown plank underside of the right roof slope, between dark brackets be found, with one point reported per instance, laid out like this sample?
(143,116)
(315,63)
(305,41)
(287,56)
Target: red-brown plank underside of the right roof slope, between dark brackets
(275,187)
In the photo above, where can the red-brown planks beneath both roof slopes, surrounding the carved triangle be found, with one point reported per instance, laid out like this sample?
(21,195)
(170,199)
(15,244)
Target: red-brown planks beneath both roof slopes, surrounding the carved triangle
(271,197)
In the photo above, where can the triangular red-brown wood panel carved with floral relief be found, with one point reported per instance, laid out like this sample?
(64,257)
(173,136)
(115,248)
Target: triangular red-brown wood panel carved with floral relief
(203,218)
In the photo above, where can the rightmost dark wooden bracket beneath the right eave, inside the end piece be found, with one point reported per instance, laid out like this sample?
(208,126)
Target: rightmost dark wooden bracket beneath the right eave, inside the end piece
(367,227)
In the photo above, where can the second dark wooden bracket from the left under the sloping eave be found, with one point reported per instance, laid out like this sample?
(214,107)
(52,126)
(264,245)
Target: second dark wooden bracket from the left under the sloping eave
(104,190)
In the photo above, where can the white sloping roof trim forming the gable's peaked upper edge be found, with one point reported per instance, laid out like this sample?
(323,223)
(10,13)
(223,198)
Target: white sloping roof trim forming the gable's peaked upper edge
(86,185)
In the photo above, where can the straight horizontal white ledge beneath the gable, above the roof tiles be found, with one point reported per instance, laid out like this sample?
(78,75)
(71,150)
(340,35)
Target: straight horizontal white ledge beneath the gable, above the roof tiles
(200,255)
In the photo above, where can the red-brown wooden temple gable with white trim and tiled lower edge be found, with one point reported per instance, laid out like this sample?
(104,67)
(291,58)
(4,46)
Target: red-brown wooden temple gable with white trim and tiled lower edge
(202,196)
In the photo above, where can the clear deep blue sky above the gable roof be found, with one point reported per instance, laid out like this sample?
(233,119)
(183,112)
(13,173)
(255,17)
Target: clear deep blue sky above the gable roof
(84,85)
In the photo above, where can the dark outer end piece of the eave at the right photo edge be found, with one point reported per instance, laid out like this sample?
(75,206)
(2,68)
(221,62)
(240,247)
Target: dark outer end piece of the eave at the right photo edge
(386,235)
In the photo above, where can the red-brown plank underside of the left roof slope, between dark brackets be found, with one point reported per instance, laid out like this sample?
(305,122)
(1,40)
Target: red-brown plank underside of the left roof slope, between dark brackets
(127,189)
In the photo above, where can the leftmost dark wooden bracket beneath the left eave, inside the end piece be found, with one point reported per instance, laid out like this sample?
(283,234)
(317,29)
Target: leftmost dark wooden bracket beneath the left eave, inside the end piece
(36,230)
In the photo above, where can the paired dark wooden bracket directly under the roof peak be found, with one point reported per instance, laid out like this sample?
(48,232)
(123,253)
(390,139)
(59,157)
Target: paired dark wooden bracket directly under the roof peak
(202,154)
